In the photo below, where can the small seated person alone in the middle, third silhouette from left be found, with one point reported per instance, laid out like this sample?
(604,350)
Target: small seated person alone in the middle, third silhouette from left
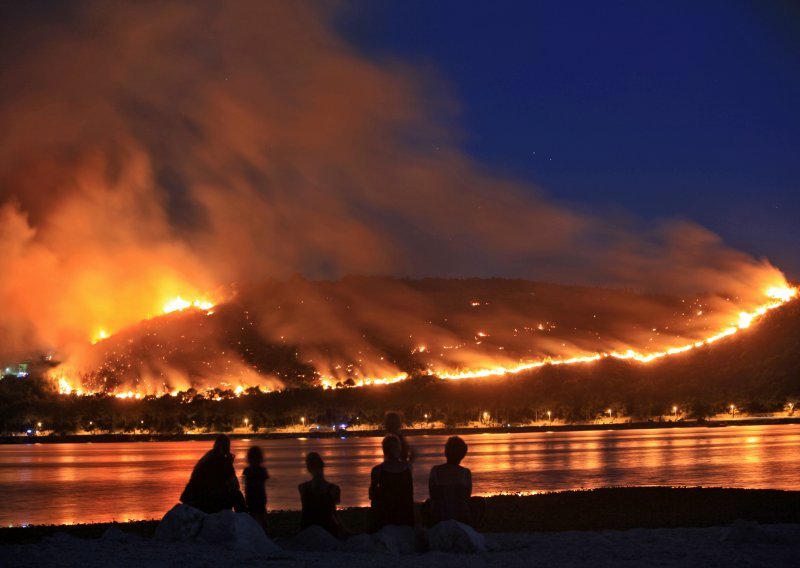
(319,498)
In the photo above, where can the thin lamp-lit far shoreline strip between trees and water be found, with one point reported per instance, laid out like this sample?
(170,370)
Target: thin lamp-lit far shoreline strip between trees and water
(455,431)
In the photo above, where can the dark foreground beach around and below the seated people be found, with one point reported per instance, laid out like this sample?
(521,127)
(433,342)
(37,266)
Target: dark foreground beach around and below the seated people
(603,527)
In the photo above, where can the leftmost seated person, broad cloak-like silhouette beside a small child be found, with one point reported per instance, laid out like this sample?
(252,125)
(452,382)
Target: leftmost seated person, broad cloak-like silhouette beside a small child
(213,486)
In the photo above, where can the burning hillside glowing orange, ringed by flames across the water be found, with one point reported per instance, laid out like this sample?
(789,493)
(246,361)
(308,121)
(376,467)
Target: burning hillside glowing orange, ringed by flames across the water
(361,331)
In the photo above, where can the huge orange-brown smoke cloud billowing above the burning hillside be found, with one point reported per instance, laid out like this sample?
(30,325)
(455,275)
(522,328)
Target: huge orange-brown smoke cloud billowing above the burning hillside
(157,149)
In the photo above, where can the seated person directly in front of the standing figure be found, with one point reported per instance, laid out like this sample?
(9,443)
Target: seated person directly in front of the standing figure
(391,489)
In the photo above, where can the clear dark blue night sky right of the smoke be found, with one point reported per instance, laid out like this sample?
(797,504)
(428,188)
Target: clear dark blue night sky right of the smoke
(674,108)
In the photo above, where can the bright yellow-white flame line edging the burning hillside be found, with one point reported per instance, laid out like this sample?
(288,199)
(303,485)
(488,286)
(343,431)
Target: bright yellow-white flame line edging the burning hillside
(778,297)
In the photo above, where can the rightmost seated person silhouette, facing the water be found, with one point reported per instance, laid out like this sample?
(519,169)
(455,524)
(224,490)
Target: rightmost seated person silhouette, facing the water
(450,487)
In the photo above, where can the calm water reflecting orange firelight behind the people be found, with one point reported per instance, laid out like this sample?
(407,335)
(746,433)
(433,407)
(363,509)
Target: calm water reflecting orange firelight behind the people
(82,483)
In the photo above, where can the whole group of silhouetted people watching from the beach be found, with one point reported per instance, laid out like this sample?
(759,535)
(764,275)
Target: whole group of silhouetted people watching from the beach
(214,486)
